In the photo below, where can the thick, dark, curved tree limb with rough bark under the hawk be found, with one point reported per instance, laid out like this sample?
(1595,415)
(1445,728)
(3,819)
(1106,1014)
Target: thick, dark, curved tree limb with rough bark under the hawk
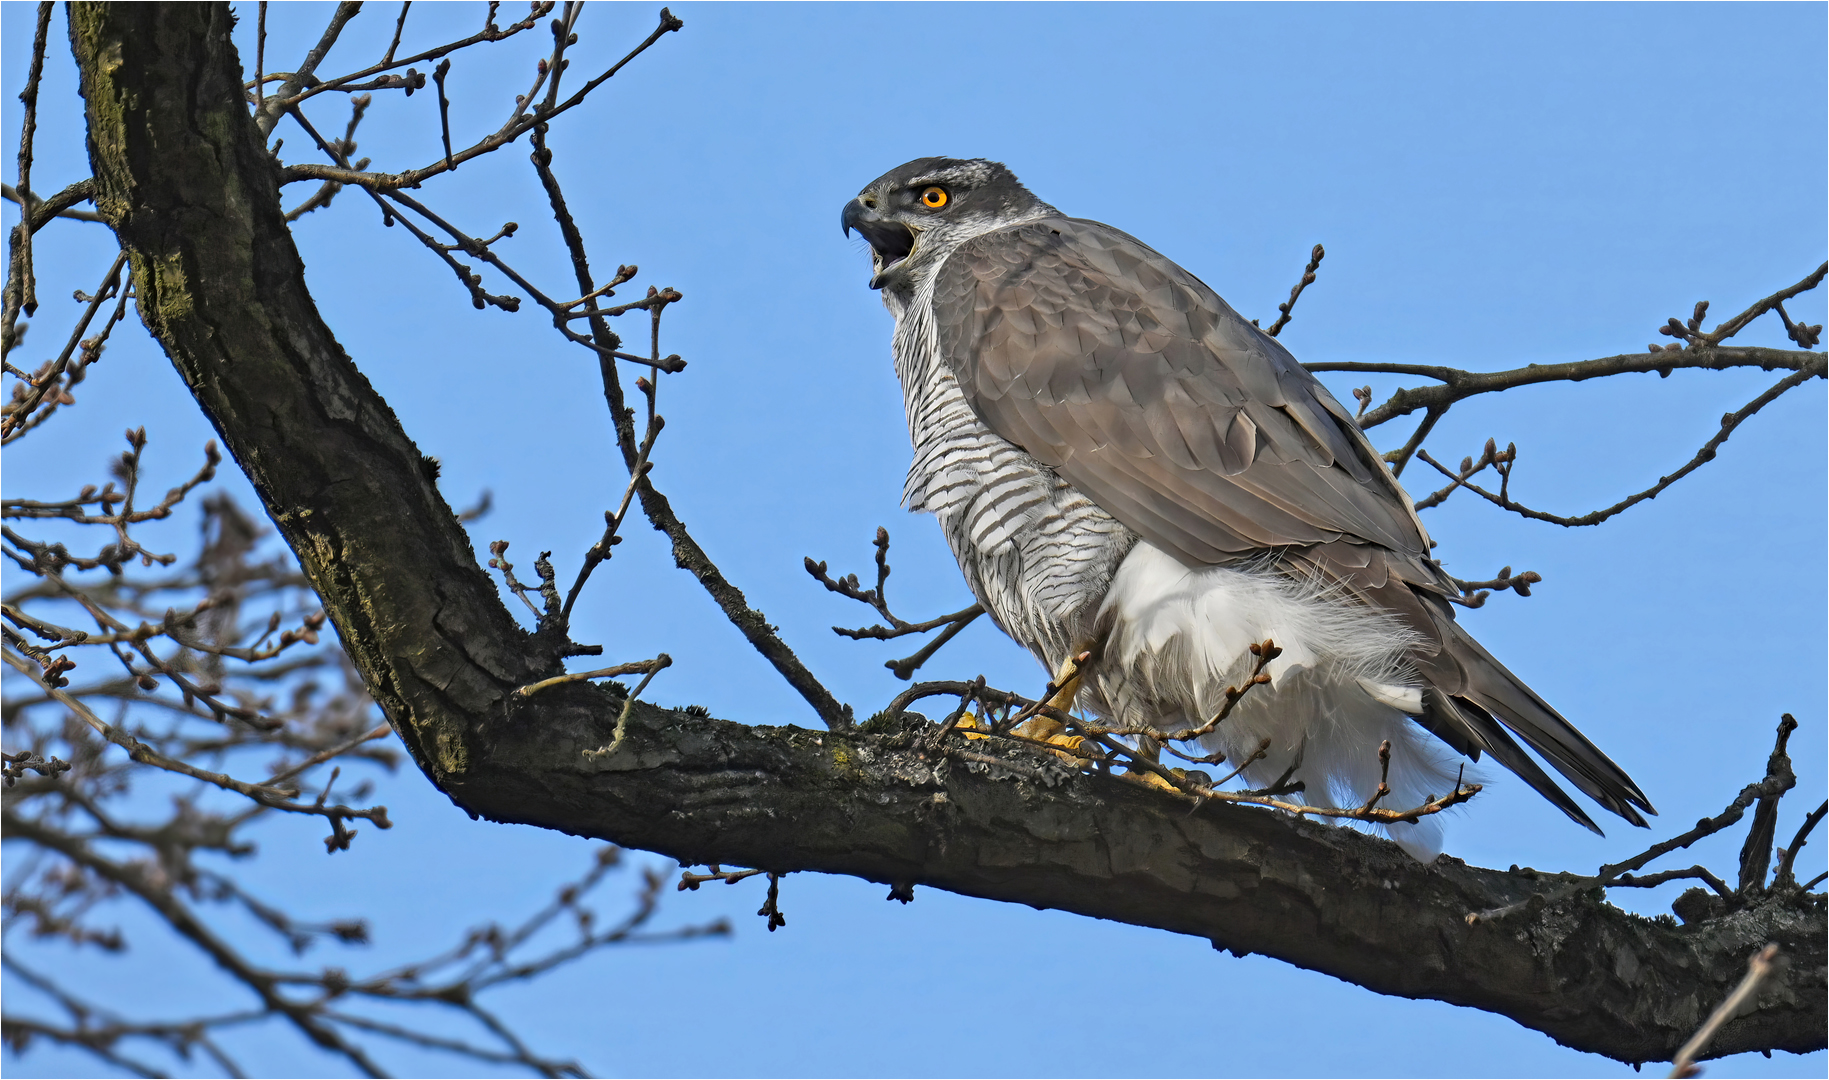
(184,178)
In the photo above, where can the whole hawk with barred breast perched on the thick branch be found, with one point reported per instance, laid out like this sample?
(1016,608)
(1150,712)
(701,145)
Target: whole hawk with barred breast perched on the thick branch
(1126,468)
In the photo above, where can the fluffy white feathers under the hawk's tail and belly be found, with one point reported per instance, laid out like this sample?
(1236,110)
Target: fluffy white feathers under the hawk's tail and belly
(1179,638)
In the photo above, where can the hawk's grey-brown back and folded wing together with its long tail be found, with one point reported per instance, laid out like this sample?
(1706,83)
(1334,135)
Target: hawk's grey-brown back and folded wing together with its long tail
(1150,394)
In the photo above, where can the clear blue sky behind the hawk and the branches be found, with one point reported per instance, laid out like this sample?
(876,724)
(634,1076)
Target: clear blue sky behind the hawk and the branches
(1495,186)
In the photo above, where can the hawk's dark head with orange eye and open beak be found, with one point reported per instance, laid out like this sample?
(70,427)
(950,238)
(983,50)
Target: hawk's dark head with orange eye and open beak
(917,213)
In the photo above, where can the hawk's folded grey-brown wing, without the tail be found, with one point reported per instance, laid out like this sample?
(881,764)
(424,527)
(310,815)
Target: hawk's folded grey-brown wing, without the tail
(1113,365)
